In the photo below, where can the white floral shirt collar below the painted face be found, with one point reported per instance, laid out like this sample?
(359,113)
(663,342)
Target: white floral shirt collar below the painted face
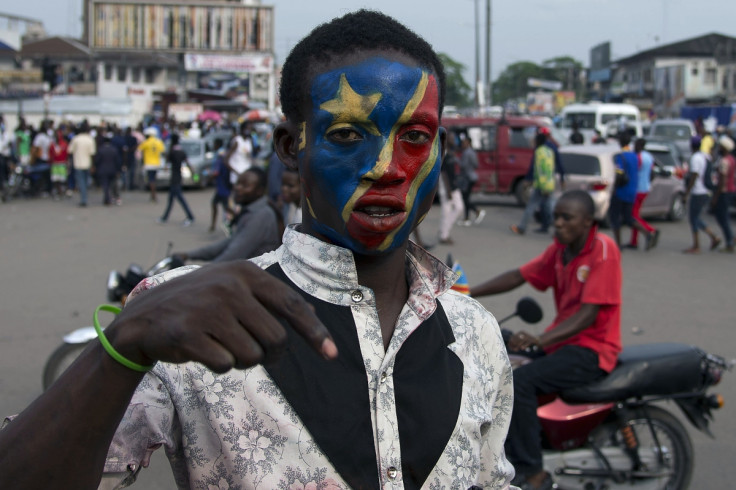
(328,272)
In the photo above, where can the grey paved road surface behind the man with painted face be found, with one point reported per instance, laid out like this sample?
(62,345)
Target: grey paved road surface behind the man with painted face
(56,256)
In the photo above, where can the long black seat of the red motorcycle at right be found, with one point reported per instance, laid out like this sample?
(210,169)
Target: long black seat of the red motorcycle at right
(645,370)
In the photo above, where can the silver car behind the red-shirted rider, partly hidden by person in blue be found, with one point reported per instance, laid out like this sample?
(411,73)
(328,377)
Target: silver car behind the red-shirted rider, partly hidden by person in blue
(591,168)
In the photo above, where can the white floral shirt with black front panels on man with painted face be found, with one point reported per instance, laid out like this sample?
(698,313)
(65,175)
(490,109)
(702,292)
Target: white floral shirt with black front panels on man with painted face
(239,430)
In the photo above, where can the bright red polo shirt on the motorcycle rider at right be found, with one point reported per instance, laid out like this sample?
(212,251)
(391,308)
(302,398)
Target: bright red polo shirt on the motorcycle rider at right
(593,277)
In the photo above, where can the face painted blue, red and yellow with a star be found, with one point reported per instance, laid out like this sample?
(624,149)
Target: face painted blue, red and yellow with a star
(372,155)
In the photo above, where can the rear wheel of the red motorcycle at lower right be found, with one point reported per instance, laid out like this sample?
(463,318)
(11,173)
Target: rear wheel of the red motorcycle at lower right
(674,468)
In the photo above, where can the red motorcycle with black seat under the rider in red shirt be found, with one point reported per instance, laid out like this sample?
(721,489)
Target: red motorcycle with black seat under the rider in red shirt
(613,434)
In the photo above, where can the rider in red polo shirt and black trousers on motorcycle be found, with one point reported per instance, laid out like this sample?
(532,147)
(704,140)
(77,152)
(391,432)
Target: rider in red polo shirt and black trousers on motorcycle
(582,344)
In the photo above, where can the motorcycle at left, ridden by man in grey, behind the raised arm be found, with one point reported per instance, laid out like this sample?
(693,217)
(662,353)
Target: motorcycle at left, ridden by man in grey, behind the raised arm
(119,285)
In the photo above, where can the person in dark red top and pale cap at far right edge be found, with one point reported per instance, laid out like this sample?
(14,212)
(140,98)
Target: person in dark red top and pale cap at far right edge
(725,190)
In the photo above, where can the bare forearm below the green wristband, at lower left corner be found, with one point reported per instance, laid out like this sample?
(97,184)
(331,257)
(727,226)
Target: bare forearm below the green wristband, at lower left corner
(62,438)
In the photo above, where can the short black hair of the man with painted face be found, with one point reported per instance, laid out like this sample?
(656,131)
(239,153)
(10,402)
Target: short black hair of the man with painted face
(356,31)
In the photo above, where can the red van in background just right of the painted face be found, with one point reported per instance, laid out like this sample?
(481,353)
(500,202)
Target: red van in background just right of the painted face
(504,146)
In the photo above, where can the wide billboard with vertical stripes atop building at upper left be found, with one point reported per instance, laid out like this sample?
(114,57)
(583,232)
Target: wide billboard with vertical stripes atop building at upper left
(176,27)
